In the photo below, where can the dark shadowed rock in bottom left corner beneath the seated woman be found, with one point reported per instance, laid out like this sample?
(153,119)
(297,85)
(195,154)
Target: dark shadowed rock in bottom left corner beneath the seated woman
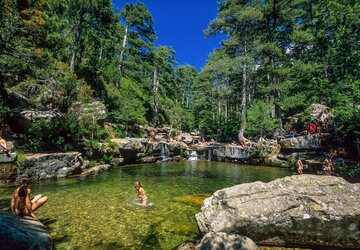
(23,233)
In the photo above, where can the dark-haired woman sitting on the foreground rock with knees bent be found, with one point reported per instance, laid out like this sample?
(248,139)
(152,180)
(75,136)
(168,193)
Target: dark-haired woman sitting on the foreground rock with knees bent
(21,203)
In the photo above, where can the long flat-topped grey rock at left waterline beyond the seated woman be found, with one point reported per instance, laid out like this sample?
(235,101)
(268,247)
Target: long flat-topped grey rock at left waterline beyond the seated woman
(52,165)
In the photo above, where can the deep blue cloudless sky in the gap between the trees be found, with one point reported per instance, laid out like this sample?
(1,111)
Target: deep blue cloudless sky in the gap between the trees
(181,24)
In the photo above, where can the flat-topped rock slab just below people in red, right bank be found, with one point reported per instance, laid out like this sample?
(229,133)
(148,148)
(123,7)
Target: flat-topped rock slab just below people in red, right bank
(301,142)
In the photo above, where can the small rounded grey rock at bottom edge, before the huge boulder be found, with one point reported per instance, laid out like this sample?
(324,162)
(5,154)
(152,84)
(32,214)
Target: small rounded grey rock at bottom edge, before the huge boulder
(224,241)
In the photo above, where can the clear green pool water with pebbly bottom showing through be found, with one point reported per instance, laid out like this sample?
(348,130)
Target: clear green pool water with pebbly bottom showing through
(91,212)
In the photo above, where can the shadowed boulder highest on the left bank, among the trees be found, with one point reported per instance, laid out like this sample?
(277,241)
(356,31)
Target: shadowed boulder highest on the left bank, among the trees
(21,120)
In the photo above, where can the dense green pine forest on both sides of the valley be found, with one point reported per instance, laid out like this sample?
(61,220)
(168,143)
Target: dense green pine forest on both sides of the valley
(278,58)
